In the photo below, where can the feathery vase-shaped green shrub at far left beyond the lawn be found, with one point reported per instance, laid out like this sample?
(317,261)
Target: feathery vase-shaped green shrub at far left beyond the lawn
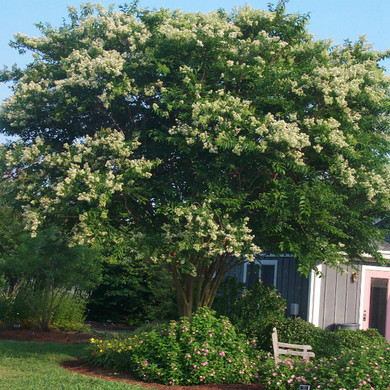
(45,269)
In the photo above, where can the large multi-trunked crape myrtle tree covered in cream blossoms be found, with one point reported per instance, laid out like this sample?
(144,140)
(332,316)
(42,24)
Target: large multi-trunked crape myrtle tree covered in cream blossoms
(196,140)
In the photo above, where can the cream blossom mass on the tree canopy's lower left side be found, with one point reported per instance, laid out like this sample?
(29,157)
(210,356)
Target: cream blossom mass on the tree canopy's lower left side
(92,171)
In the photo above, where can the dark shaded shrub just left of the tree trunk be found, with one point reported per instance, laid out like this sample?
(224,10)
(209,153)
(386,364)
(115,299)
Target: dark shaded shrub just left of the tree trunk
(148,287)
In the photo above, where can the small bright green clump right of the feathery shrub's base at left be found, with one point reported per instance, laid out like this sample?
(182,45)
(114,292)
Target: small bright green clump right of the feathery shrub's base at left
(69,316)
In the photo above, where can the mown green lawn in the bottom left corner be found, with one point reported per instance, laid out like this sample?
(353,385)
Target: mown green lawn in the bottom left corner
(36,366)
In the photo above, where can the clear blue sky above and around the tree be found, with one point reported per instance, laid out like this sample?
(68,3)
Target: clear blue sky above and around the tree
(337,19)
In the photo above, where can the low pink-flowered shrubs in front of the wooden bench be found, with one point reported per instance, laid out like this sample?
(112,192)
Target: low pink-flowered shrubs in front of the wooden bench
(364,368)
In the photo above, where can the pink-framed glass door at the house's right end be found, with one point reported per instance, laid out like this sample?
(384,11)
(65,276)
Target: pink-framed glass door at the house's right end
(376,306)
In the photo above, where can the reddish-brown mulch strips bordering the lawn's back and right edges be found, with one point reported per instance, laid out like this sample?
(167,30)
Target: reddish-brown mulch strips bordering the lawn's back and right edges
(82,368)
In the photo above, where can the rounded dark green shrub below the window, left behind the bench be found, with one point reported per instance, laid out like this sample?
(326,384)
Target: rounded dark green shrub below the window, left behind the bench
(256,311)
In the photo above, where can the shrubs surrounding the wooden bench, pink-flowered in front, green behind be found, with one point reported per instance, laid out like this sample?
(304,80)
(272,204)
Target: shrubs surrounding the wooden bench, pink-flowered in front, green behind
(345,359)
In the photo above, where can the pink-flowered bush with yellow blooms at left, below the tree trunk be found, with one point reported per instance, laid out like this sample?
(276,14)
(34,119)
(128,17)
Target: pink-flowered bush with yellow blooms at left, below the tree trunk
(202,350)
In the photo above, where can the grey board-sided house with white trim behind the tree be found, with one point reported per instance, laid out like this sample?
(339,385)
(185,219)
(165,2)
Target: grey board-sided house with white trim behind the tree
(359,297)
